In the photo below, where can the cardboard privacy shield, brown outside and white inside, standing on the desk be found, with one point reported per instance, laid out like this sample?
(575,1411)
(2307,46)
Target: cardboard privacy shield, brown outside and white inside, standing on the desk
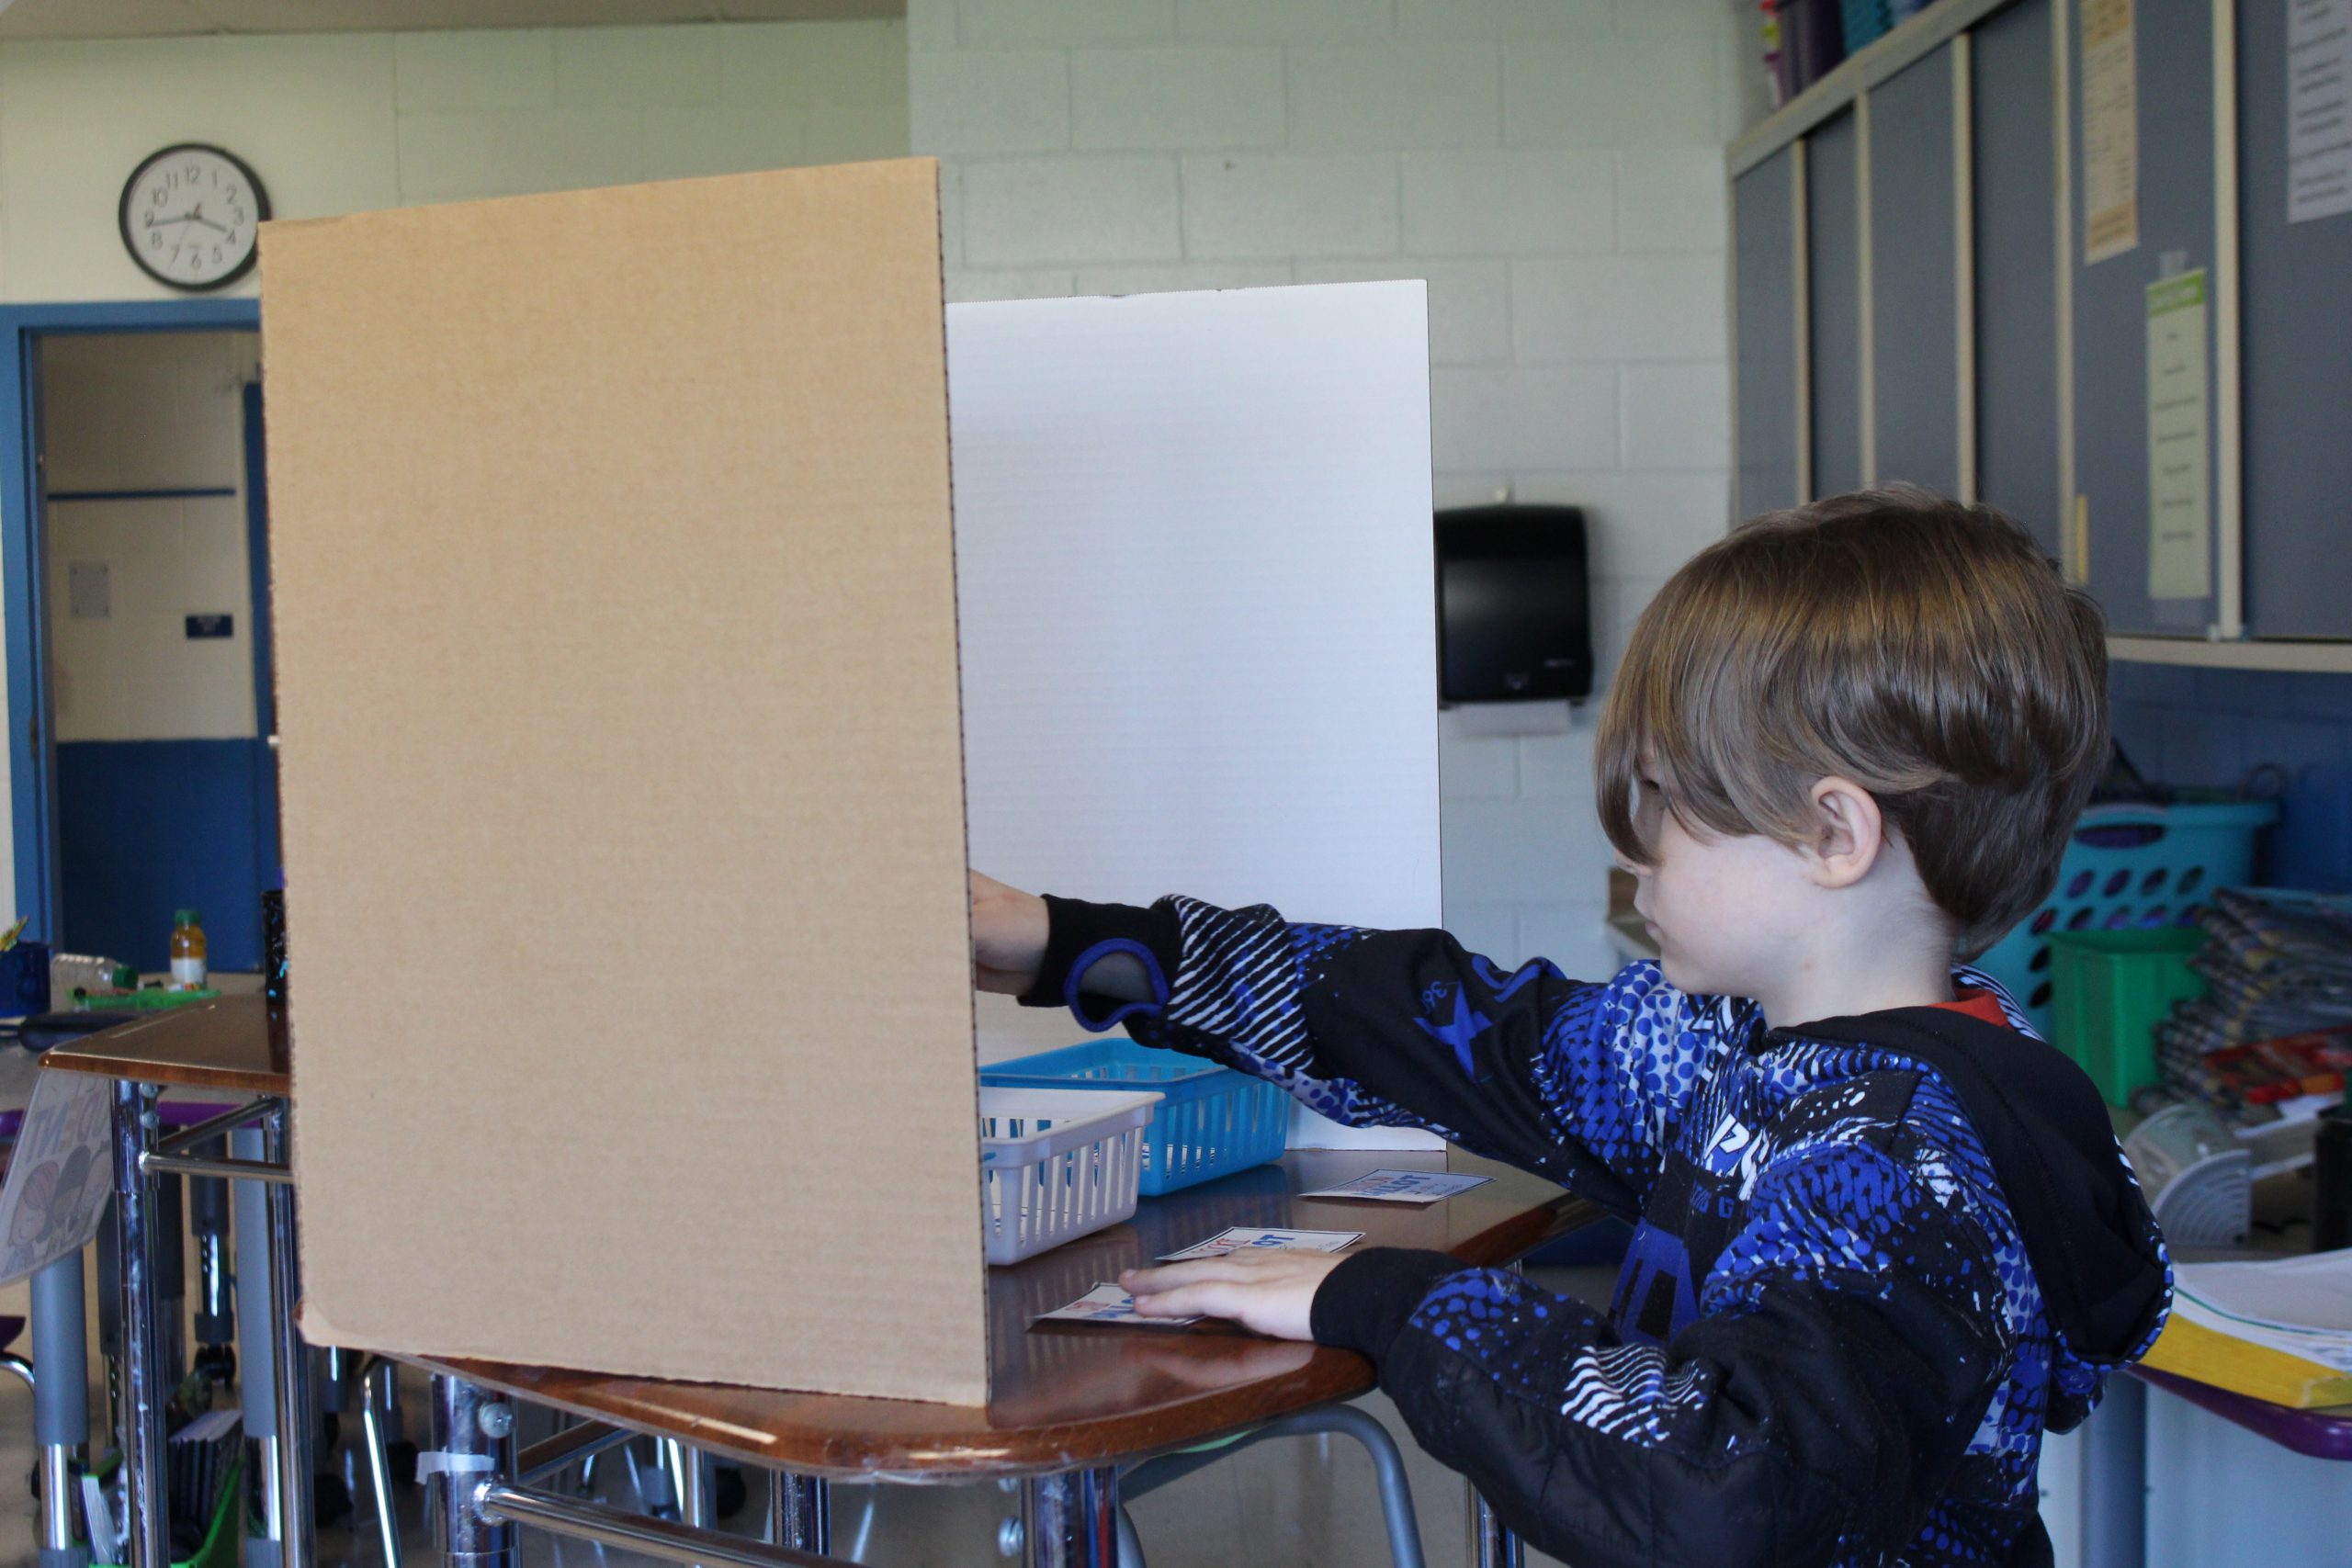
(624,742)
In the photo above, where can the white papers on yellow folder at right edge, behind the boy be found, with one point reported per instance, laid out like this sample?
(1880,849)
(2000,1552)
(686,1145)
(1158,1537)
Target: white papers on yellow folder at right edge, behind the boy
(2278,1332)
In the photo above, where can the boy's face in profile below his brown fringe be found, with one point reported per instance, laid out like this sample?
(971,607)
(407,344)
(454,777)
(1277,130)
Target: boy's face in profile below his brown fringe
(1720,909)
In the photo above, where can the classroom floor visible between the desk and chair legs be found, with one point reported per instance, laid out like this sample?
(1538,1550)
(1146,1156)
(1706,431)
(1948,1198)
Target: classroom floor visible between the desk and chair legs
(1302,1503)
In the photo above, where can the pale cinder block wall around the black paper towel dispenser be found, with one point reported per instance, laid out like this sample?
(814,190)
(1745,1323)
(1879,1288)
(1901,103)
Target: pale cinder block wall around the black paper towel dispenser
(1553,168)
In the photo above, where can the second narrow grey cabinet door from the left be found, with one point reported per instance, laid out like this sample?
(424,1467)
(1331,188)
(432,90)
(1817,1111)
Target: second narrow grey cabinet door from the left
(1836,304)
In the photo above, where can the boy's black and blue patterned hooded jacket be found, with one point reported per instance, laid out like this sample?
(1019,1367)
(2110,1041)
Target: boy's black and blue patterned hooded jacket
(1876,1257)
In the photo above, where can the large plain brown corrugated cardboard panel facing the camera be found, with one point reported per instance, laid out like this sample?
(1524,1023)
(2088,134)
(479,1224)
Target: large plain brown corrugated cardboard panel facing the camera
(622,782)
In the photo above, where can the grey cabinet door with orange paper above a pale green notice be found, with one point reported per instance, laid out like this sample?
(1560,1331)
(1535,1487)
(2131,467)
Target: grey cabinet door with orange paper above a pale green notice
(2144,354)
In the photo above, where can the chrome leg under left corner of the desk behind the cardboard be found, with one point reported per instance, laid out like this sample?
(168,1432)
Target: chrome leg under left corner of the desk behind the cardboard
(147,1527)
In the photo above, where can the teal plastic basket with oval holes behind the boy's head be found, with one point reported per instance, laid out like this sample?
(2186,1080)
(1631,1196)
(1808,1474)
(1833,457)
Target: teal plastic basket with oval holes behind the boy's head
(2130,869)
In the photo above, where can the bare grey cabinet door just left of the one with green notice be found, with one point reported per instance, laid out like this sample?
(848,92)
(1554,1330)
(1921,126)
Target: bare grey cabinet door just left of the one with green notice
(2017,267)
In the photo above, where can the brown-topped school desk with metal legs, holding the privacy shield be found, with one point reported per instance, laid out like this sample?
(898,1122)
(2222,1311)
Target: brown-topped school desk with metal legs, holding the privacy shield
(1071,1402)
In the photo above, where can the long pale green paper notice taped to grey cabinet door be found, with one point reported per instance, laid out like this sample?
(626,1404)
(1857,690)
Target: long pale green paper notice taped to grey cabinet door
(2179,464)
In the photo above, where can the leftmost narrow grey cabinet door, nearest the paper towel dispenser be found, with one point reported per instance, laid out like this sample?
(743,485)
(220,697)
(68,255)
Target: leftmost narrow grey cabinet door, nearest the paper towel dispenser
(1765,253)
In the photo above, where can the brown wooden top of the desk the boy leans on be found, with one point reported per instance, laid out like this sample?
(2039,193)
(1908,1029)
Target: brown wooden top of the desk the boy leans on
(1081,1395)
